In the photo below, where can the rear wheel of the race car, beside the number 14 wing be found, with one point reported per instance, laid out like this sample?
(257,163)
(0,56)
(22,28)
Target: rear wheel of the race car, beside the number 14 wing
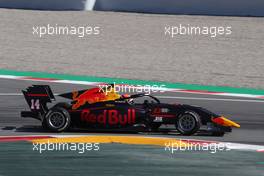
(58,119)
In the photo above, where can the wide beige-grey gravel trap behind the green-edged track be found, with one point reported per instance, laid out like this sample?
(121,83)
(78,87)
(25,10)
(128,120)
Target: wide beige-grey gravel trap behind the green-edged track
(134,46)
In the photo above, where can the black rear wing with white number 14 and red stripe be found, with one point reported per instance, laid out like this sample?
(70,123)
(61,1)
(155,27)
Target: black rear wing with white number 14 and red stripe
(37,97)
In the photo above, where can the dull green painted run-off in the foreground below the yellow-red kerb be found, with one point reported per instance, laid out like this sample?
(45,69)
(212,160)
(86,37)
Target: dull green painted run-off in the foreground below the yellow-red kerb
(127,160)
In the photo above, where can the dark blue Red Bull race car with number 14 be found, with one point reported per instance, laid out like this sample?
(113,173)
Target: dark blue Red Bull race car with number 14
(104,109)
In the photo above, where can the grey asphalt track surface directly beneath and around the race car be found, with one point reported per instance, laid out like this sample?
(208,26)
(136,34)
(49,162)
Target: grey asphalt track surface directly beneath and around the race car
(249,113)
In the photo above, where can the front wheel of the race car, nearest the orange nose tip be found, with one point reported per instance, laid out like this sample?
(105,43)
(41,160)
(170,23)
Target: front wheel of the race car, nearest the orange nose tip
(188,123)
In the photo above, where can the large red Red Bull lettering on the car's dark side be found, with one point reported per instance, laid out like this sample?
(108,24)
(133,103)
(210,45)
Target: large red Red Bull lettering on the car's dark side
(111,117)
